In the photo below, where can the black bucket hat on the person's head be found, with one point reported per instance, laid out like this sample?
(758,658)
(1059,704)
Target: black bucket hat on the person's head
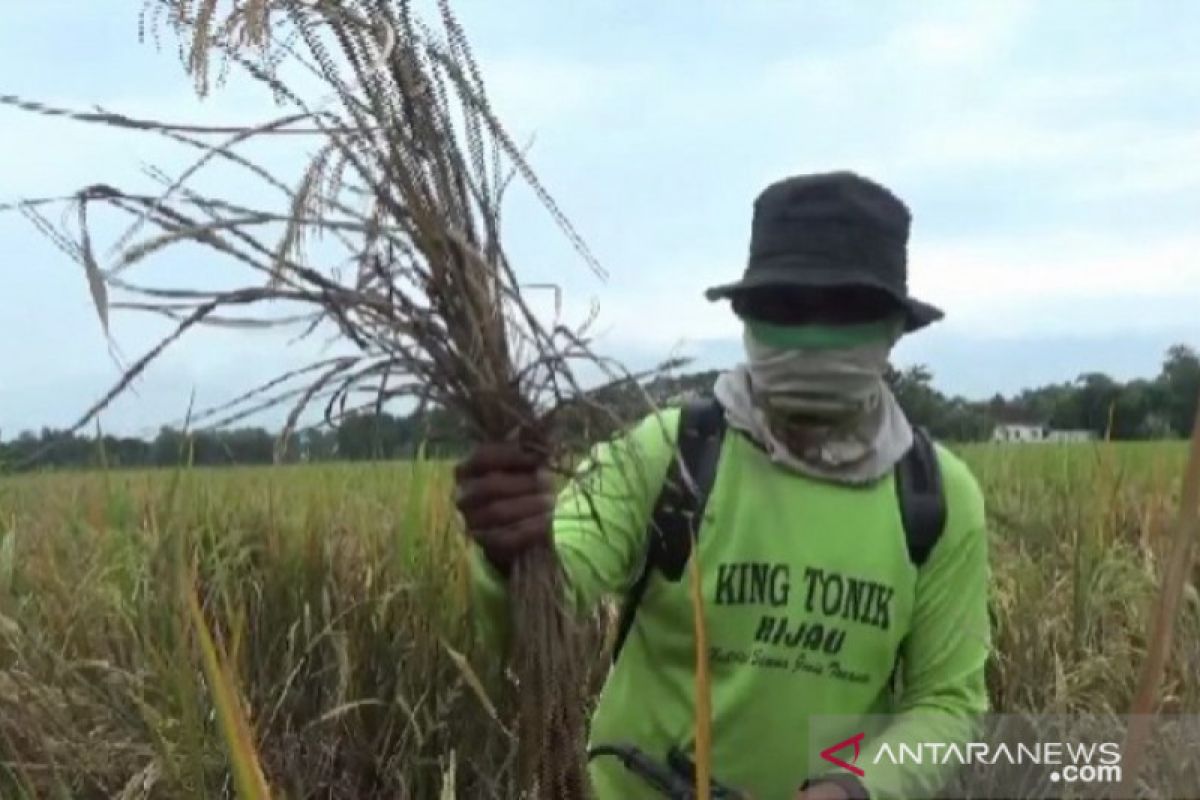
(831,230)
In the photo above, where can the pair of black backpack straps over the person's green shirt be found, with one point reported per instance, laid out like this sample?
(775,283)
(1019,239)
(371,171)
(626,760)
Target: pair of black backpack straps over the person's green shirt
(681,503)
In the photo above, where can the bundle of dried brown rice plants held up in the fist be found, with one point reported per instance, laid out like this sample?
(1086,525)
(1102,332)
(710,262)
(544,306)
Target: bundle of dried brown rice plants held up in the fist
(409,178)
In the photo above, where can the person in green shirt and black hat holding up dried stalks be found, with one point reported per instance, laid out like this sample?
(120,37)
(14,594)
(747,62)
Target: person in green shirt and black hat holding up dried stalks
(814,603)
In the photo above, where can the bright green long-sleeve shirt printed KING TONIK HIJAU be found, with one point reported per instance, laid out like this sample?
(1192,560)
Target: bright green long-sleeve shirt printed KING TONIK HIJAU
(811,600)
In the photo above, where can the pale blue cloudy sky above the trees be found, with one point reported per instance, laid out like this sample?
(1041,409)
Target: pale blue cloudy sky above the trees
(1048,151)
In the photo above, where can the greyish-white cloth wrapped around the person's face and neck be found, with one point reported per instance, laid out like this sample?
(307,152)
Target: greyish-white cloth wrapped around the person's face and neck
(815,400)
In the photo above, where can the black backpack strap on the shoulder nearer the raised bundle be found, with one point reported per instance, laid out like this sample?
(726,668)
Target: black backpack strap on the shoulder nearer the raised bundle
(681,504)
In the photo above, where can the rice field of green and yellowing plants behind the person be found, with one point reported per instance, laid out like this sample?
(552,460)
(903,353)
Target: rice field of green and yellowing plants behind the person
(338,598)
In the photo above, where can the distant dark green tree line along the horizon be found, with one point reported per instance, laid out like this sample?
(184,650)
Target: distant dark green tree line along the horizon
(1157,408)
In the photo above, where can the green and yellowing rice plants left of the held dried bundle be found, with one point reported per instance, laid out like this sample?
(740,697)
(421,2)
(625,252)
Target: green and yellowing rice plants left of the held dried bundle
(352,648)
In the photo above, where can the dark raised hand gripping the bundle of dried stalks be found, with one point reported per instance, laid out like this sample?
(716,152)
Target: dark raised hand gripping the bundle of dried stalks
(507,498)
